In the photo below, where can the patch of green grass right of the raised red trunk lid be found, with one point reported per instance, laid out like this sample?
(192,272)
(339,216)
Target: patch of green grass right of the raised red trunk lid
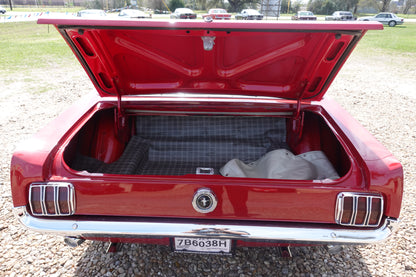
(395,40)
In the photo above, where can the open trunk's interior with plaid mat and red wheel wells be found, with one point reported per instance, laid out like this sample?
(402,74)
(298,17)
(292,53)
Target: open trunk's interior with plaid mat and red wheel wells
(200,144)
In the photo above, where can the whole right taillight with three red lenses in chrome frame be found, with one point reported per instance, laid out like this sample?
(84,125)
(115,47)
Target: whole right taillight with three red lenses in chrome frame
(359,209)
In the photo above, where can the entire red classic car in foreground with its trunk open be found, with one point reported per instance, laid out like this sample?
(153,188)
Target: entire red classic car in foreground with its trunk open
(200,74)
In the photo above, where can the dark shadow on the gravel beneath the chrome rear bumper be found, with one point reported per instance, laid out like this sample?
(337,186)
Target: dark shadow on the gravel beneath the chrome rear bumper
(151,260)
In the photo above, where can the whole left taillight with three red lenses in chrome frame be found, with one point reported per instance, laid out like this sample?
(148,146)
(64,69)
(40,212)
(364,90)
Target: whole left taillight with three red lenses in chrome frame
(52,199)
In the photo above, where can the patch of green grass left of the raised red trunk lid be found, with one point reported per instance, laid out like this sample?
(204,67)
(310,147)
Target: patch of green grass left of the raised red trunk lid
(27,45)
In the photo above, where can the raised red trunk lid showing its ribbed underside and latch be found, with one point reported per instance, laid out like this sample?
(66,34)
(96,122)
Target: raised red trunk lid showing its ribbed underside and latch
(284,60)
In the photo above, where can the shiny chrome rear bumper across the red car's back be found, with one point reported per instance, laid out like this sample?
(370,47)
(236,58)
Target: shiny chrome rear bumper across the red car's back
(272,233)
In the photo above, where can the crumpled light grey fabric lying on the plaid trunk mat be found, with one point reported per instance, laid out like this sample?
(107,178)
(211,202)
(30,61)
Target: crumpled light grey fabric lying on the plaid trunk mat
(282,164)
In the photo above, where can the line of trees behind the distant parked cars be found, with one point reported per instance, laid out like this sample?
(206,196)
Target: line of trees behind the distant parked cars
(287,6)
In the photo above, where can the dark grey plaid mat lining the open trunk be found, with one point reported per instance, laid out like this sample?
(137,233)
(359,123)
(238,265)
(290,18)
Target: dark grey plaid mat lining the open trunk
(178,145)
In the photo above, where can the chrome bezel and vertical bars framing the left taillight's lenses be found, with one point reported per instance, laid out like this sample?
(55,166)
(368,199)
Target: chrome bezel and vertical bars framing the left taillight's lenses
(70,198)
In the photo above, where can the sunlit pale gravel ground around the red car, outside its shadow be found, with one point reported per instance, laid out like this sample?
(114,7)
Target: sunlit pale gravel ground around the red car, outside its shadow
(382,101)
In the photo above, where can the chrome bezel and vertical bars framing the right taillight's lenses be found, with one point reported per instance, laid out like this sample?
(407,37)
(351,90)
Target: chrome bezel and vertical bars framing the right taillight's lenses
(356,197)
